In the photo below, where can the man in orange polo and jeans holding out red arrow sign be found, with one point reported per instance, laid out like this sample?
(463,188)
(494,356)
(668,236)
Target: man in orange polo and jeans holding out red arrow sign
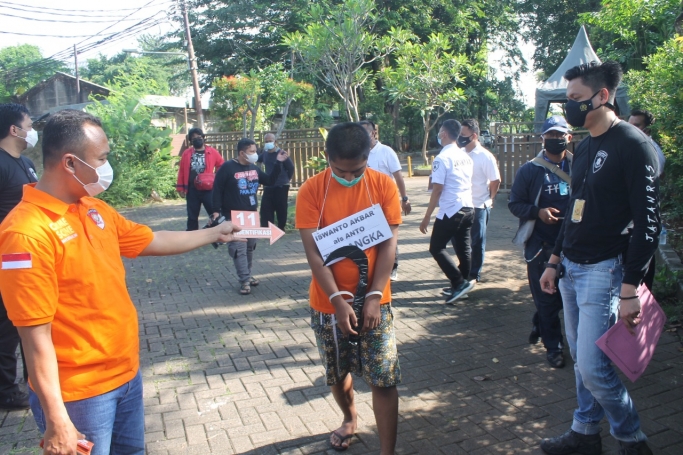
(63,283)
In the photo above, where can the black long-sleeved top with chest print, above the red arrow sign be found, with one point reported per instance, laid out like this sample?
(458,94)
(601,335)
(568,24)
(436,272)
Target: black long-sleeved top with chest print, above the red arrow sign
(236,185)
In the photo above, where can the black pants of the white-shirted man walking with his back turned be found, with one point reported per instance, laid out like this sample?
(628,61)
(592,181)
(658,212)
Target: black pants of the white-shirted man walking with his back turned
(458,229)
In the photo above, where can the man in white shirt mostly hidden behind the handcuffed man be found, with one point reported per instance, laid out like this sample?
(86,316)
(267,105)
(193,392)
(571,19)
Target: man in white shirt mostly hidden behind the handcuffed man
(384,159)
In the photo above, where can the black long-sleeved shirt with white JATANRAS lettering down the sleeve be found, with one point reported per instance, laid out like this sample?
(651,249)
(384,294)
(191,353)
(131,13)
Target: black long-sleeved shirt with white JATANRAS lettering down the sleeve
(621,190)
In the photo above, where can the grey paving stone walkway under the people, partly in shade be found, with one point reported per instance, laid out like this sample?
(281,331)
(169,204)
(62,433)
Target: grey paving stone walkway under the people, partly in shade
(231,374)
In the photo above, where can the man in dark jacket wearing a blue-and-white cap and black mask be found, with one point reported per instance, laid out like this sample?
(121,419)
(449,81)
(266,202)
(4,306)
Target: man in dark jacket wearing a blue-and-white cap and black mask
(539,198)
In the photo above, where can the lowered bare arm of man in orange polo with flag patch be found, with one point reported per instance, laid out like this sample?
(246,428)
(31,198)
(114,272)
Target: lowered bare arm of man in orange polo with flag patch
(60,436)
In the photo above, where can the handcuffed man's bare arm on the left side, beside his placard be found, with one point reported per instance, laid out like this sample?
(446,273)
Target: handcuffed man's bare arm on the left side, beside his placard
(346,319)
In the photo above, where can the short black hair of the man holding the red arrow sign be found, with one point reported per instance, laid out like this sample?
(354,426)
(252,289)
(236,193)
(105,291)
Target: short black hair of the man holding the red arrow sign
(64,133)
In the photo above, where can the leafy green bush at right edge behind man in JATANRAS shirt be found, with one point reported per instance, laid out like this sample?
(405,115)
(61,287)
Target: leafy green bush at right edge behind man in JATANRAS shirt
(660,91)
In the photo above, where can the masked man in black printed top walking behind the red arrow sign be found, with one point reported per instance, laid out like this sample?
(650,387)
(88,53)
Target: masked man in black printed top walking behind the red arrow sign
(235,188)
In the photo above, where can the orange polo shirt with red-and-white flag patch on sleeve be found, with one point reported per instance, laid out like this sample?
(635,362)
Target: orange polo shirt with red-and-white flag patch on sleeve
(61,264)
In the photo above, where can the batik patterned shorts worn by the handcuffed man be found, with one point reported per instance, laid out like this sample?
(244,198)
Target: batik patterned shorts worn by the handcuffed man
(375,357)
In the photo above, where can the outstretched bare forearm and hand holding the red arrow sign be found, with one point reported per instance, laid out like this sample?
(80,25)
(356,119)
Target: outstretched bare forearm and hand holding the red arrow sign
(166,243)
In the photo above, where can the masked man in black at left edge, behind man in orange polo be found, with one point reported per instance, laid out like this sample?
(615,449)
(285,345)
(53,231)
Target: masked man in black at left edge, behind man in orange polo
(16,134)
